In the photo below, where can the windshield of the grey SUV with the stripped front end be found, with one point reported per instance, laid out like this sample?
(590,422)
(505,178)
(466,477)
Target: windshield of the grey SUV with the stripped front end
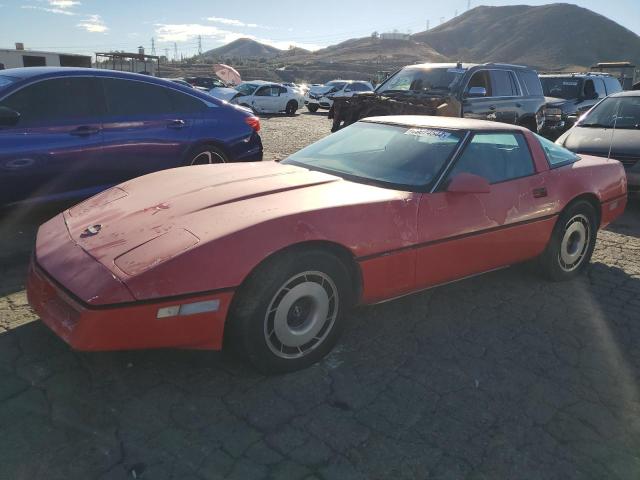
(422,80)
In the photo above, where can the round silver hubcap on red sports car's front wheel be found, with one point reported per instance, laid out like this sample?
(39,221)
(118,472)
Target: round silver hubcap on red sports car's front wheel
(301,314)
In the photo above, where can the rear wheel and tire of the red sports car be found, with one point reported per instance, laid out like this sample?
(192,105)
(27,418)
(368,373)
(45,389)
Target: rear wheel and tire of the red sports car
(572,242)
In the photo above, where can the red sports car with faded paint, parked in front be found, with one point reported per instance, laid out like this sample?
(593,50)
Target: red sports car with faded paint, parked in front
(270,255)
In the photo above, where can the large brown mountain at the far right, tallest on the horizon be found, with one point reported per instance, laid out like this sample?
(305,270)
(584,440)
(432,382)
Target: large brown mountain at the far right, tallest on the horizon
(555,36)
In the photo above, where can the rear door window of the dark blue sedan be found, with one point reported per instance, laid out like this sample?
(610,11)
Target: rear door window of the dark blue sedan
(130,97)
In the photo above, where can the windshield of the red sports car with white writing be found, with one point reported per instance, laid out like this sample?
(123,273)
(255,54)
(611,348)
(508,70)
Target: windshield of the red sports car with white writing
(399,156)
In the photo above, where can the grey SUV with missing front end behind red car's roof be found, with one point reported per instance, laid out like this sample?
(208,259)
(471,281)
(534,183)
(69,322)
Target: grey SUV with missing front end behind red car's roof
(492,91)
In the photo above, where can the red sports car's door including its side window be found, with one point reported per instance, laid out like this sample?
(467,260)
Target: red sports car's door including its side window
(465,233)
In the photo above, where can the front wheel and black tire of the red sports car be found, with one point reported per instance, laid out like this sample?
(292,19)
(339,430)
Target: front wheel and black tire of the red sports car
(289,313)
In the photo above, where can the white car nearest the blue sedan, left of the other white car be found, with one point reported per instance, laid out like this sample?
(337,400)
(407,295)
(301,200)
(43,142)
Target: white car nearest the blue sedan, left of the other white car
(267,97)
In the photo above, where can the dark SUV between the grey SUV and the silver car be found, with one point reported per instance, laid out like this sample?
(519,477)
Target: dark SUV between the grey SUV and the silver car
(569,95)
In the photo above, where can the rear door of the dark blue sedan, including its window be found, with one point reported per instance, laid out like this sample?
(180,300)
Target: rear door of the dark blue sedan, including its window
(142,131)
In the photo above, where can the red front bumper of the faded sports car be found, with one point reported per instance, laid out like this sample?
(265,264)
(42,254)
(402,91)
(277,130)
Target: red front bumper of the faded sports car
(126,326)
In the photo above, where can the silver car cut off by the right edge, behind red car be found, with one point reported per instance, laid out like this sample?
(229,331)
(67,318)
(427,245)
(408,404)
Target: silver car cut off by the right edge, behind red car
(611,129)
